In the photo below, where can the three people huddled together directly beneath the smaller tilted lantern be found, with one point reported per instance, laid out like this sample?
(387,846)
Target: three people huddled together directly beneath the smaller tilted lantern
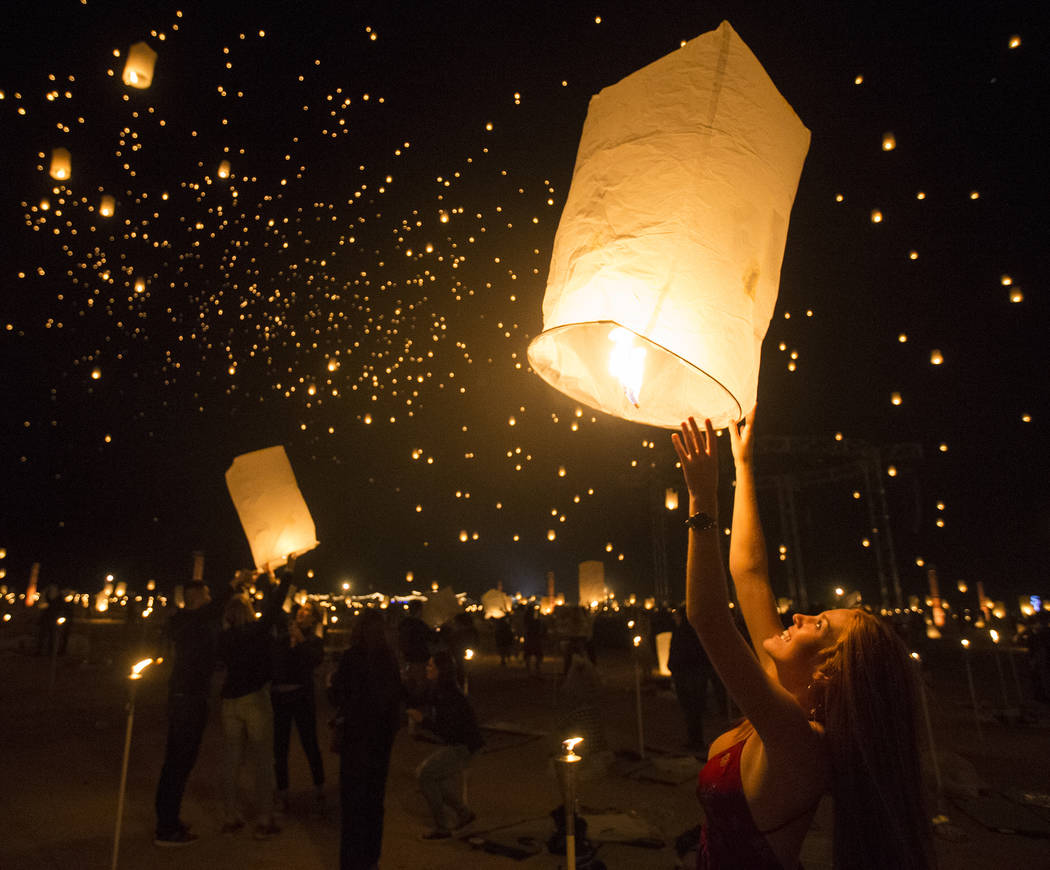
(269,660)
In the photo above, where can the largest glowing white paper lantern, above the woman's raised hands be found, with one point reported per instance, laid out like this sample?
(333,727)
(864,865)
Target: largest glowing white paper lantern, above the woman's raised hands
(667,260)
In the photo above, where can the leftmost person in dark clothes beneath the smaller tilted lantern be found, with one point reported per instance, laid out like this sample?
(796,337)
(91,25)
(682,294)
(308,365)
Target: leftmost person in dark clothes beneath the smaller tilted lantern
(194,631)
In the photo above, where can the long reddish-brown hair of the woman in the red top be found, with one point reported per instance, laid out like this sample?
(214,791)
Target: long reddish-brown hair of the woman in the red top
(871,724)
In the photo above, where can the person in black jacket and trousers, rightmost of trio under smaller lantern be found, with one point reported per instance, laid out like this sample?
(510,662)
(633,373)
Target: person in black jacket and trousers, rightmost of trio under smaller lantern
(298,652)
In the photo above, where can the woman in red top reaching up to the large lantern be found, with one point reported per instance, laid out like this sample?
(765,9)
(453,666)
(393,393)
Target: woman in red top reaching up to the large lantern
(830,702)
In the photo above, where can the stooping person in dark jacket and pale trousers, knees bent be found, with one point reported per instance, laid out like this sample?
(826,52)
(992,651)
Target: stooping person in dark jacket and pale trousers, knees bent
(449,716)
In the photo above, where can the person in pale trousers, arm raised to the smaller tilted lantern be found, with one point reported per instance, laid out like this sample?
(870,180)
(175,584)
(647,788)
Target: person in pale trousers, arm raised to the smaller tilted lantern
(244,647)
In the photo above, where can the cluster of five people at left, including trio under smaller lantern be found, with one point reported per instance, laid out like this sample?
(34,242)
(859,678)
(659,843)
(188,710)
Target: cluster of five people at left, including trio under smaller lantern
(269,653)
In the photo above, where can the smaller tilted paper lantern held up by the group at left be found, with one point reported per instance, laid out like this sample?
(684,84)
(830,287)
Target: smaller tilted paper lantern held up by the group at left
(274,514)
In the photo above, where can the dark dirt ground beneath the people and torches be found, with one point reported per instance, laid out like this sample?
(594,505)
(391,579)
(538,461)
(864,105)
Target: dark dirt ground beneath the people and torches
(62,750)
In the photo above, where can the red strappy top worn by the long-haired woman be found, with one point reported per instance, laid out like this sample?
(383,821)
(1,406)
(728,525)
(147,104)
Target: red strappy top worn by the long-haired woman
(730,838)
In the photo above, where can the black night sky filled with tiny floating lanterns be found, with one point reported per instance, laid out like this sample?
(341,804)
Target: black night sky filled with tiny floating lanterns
(364,286)
